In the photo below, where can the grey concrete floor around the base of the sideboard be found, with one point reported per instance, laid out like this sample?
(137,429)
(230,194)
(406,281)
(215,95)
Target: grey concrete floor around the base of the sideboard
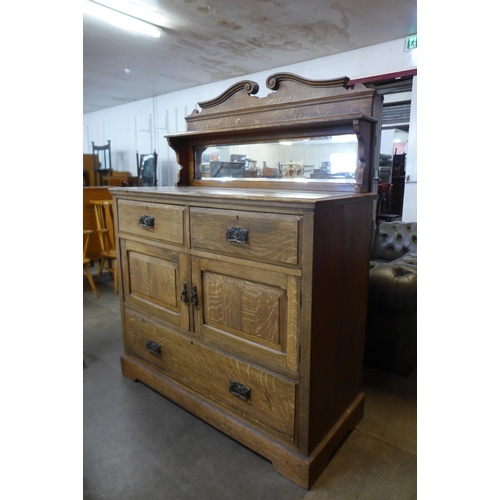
(138,445)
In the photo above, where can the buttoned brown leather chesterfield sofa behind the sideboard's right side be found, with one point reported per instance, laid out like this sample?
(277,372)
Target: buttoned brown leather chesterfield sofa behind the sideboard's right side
(391,326)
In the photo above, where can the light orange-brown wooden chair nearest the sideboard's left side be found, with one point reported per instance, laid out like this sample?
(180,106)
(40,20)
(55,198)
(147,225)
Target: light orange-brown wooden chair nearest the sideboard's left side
(105,230)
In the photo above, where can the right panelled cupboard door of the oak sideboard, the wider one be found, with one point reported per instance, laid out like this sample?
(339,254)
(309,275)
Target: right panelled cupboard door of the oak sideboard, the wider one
(250,311)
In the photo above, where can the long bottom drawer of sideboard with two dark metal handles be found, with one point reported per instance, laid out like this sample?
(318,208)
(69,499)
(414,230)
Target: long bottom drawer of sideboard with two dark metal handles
(261,398)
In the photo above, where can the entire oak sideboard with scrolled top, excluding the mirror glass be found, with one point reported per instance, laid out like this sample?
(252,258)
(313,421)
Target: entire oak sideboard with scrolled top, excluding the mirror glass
(243,299)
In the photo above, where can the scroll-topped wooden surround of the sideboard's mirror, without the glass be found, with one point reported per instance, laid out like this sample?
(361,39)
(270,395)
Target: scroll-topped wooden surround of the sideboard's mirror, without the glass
(297,108)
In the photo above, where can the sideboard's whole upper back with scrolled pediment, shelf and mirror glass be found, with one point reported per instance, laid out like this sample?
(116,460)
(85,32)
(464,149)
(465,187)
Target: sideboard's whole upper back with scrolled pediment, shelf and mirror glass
(241,140)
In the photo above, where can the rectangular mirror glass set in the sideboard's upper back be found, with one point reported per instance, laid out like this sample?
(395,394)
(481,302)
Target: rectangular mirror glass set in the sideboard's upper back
(331,158)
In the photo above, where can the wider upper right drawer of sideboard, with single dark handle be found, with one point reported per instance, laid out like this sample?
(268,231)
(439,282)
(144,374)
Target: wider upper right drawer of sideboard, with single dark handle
(254,235)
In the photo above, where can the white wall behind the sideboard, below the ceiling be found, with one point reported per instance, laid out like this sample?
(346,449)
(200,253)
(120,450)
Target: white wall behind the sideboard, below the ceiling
(142,125)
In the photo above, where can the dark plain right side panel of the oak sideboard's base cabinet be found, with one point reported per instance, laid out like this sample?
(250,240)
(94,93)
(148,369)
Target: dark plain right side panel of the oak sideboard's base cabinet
(341,259)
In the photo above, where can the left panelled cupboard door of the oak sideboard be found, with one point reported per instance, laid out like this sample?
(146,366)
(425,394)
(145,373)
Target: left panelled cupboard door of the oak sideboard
(154,279)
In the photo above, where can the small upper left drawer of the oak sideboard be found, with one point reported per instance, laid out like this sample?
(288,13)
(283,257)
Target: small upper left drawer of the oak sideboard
(152,220)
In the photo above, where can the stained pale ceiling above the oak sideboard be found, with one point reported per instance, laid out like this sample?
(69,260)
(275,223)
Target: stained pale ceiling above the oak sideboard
(204,41)
